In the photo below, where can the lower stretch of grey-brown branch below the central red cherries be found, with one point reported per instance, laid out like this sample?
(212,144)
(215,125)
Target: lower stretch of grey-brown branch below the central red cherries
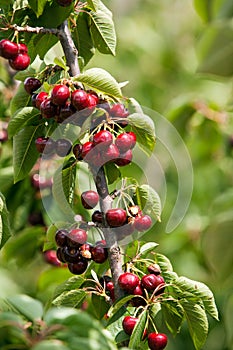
(115,256)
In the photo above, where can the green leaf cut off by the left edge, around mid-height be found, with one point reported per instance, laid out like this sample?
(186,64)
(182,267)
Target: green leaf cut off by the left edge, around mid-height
(5,231)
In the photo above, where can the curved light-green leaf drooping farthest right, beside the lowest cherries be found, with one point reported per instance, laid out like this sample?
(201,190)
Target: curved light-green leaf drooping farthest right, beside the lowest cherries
(201,291)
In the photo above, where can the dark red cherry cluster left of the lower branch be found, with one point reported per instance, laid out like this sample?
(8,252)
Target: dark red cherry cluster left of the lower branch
(74,250)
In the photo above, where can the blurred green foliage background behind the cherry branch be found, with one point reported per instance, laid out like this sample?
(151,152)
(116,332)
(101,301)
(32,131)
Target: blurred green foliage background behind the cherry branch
(162,50)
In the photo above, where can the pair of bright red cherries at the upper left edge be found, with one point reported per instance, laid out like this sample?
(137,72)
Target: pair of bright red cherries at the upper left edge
(17,54)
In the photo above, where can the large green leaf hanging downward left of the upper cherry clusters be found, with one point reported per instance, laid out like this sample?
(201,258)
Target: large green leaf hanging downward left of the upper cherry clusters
(24,150)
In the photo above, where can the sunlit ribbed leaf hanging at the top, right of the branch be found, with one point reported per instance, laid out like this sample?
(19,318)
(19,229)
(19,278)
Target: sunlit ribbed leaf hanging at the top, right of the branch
(102,30)
